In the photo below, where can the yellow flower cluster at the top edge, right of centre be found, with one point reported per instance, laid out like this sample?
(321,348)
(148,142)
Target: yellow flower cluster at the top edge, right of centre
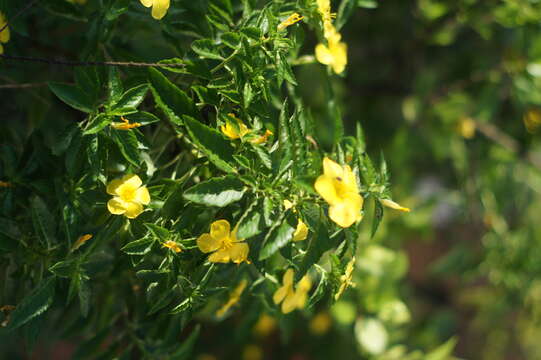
(335,52)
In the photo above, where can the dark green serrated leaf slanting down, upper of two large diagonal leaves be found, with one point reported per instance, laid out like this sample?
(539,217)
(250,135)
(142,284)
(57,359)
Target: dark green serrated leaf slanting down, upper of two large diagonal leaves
(170,99)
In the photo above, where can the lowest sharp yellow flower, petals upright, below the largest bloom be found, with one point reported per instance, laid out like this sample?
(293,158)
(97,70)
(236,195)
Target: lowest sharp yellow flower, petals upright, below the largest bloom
(290,298)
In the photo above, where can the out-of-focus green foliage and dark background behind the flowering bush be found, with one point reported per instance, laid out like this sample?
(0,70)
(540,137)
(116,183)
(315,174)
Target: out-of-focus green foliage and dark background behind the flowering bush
(450,93)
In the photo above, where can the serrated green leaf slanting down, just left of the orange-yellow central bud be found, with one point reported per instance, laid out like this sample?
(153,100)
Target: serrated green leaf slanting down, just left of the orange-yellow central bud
(212,143)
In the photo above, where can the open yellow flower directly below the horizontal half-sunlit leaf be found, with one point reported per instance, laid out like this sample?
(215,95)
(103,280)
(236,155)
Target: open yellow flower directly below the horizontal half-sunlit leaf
(223,244)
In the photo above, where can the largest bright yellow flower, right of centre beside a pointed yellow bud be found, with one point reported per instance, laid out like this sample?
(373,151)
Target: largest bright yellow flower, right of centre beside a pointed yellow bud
(338,187)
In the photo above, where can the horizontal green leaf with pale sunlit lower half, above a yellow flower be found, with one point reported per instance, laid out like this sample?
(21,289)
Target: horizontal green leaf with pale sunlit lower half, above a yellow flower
(216,192)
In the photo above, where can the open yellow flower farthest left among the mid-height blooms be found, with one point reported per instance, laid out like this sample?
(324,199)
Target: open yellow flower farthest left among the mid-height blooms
(129,198)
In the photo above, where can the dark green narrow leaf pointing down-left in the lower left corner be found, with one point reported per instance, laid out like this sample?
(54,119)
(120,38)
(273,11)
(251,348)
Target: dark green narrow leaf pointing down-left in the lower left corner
(34,304)
